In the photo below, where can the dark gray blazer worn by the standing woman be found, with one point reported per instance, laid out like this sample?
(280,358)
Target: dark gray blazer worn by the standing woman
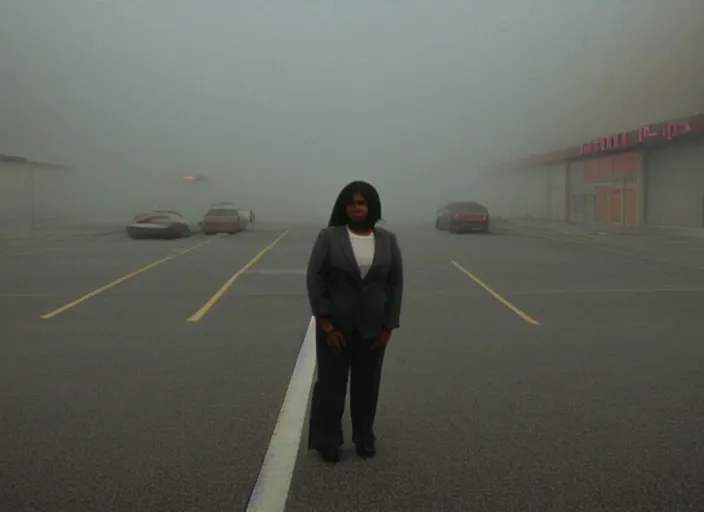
(336,290)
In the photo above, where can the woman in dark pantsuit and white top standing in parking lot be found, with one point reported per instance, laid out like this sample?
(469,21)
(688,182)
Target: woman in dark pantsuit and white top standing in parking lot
(355,288)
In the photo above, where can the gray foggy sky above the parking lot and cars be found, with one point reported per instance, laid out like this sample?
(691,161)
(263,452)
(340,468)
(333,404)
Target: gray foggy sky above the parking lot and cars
(279,104)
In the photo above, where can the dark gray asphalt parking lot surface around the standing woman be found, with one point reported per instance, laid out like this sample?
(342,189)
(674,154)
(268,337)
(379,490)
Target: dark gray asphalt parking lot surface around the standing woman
(534,371)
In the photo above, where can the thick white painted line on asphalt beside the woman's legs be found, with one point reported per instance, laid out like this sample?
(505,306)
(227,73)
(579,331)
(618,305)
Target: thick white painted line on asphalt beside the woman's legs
(271,490)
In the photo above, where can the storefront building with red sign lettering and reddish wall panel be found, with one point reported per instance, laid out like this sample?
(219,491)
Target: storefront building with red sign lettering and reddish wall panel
(650,176)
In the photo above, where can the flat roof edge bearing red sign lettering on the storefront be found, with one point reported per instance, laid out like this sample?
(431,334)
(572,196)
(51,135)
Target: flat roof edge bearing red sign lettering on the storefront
(663,131)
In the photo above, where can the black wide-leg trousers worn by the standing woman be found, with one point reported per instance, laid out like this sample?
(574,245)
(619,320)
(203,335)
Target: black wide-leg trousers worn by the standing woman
(330,389)
